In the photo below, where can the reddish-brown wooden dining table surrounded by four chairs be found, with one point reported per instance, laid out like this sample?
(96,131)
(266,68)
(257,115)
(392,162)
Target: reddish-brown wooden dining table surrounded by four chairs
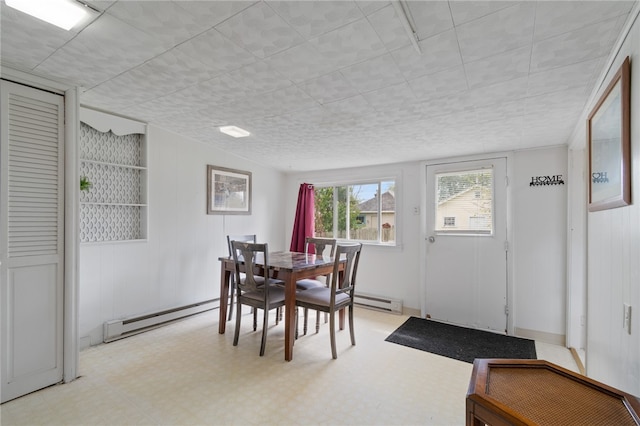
(289,267)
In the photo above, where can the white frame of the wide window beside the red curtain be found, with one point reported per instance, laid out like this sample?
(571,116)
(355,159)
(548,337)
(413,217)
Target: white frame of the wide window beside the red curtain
(349,183)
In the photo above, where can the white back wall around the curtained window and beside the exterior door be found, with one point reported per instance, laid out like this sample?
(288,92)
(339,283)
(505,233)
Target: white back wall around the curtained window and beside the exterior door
(538,248)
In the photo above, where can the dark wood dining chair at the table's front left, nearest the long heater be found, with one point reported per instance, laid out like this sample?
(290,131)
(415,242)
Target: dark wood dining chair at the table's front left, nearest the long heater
(253,289)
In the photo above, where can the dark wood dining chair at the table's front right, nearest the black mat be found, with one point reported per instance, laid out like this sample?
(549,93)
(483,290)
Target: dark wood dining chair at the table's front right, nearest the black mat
(339,295)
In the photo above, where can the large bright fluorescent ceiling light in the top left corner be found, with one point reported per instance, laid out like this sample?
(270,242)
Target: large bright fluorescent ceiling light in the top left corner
(62,13)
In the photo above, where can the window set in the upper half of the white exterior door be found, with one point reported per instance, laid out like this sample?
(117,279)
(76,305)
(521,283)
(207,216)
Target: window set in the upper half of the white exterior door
(468,197)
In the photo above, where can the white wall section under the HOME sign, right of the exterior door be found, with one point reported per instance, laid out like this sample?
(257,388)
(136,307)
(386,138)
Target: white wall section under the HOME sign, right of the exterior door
(539,245)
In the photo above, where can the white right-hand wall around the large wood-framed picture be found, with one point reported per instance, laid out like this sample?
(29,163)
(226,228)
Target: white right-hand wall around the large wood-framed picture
(613,254)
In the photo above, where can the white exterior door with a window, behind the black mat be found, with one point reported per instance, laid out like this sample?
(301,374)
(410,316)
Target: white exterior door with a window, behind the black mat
(466,247)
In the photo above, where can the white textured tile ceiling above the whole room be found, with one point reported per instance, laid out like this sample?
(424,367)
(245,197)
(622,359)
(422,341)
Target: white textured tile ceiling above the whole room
(332,84)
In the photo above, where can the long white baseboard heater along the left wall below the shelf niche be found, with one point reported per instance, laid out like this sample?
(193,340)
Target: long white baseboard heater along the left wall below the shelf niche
(119,329)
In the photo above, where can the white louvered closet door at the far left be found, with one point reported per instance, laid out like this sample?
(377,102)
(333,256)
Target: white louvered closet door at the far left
(31,238)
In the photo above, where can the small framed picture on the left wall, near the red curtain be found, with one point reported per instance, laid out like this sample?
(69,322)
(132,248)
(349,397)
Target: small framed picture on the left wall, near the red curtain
(228,191)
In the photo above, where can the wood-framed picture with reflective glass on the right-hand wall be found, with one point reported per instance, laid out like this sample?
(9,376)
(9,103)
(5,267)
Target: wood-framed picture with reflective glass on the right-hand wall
(609,139)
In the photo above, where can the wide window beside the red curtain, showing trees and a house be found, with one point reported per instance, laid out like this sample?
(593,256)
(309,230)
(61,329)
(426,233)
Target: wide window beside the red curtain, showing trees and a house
(362,212)
